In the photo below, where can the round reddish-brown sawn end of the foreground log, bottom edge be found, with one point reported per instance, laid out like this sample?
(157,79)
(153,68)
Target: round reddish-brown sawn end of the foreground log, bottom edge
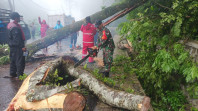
(74,101)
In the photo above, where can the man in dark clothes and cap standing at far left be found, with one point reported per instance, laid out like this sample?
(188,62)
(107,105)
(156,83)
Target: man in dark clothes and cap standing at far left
(16,42)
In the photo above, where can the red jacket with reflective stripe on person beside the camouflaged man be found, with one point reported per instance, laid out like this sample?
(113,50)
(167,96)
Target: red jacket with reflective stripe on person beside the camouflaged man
(89,31)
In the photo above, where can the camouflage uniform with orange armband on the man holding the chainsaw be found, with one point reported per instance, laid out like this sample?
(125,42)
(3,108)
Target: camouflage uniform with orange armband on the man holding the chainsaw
(105,42)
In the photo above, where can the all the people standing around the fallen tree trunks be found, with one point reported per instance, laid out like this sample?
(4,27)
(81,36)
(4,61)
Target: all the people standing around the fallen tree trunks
(95,36)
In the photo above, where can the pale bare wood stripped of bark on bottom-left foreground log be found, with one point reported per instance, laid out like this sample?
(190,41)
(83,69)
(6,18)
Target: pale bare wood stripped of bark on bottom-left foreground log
(19,101)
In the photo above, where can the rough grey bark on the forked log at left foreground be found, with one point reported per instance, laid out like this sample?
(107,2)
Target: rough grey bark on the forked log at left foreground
(36,91)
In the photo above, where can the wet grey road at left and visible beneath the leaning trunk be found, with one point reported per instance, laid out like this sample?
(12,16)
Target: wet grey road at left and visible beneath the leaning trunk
(9,87)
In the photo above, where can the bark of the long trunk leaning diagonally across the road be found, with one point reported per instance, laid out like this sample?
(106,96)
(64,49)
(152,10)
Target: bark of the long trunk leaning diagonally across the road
(56,35)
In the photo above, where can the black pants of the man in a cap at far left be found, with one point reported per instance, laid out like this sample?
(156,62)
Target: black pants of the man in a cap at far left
(17,62)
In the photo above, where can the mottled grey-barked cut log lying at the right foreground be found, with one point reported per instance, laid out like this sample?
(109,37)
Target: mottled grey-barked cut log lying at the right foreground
(108,95)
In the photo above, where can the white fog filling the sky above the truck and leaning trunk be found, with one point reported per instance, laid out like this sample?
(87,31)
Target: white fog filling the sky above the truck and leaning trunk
(79,9)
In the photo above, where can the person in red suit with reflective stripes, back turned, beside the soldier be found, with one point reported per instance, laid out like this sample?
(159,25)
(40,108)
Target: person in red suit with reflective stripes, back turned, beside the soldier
(89,31)
